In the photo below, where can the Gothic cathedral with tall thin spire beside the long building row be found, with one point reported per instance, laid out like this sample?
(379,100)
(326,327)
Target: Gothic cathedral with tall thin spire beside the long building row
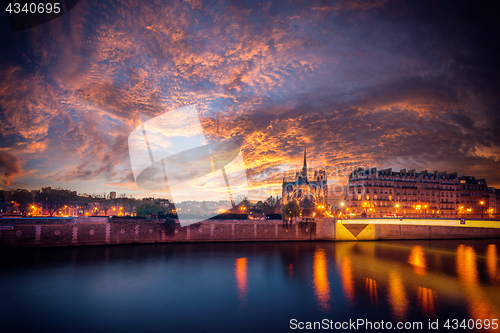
(308,192)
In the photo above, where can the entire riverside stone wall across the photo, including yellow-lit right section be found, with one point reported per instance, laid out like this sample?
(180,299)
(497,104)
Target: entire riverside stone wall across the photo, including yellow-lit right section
(103,231)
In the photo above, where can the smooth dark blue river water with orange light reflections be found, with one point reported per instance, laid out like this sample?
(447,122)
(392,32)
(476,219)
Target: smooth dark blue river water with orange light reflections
(249,287)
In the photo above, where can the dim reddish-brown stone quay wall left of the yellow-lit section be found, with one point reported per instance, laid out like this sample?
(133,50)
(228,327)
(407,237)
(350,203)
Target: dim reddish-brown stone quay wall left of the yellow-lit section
(125,232)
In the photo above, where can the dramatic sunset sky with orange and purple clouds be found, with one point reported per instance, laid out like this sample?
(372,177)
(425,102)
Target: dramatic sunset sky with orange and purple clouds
(392,84)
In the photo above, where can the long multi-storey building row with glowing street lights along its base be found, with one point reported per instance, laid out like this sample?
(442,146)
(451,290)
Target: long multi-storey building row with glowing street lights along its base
(378,193)
